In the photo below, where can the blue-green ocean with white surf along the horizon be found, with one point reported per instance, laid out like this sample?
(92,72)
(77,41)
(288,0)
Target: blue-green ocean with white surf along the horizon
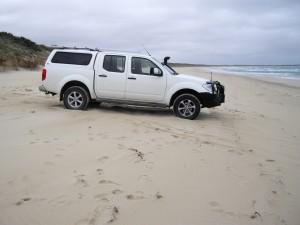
(285,72)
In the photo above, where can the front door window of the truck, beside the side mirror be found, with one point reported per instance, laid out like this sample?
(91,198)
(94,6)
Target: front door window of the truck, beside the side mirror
(143,66)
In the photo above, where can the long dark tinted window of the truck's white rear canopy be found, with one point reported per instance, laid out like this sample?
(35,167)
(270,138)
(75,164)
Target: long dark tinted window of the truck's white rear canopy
(72,58)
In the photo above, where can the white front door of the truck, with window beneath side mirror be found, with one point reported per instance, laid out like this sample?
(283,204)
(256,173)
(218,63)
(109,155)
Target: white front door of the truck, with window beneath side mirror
(142,84)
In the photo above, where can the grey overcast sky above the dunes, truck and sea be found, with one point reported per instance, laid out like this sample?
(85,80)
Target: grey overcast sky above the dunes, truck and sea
(194,31)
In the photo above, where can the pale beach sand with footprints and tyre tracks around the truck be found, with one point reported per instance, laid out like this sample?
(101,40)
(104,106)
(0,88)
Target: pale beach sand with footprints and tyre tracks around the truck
(236,164)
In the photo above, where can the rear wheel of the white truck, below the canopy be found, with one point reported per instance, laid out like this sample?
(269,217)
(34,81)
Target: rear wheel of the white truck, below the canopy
(76,98)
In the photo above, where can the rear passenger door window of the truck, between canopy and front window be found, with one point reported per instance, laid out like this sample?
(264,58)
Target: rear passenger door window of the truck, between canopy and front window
(114,63)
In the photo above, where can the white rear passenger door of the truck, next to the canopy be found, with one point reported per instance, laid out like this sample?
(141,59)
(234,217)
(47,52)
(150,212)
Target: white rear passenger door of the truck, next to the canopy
(110,77)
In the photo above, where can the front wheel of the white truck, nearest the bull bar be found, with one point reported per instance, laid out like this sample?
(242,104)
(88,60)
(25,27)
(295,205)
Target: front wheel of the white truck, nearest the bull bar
(187,106)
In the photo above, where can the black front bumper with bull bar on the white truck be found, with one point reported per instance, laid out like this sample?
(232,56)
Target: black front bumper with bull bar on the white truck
(216,98)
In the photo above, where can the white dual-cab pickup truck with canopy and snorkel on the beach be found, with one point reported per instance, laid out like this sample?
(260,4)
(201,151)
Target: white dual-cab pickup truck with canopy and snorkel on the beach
(82,76)
